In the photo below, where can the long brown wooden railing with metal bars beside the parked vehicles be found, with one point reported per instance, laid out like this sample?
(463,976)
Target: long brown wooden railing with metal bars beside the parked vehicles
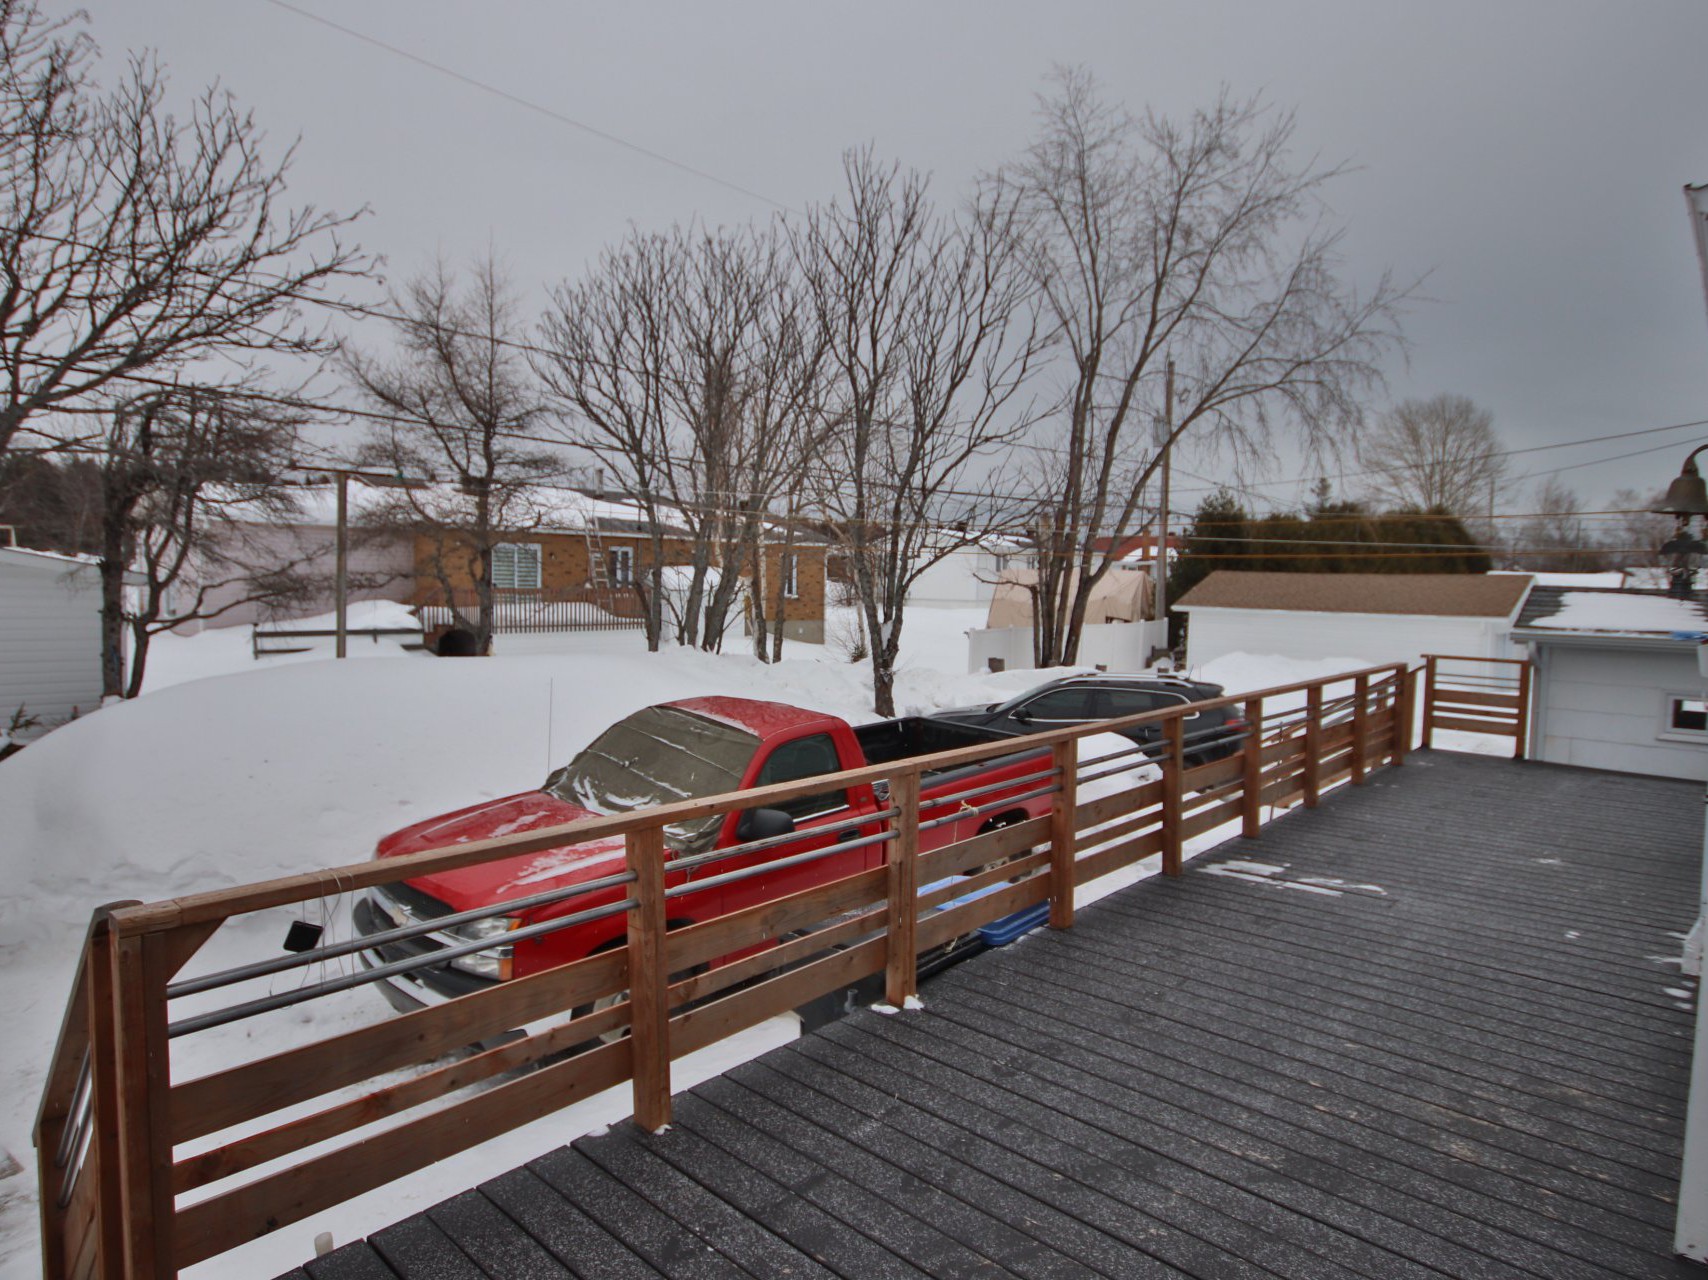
(144,1171)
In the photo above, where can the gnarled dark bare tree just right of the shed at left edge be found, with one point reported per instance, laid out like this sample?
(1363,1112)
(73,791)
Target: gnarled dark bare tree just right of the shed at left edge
(185,476)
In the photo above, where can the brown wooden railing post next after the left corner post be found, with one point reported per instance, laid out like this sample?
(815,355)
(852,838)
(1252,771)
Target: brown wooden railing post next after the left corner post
(648,980)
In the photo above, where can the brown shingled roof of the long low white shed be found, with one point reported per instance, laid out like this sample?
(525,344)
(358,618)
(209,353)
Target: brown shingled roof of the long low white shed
(1430,594)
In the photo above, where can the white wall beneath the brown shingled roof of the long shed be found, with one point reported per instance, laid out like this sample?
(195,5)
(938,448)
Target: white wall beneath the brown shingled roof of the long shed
(1369,638)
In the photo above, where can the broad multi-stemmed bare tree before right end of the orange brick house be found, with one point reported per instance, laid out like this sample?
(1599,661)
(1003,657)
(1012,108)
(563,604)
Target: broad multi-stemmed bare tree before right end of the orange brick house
(689,365)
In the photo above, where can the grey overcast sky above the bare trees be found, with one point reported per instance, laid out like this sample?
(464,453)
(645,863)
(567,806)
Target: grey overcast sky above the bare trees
(1528,156)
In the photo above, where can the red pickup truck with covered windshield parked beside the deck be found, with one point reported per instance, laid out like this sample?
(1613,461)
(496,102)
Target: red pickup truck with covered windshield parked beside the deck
(677,751)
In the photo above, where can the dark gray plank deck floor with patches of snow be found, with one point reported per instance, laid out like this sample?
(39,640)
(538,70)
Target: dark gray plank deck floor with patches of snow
(1470,1062)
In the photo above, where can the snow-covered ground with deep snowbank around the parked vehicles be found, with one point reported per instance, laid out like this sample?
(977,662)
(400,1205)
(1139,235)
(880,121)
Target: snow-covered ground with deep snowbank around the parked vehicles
(231,772)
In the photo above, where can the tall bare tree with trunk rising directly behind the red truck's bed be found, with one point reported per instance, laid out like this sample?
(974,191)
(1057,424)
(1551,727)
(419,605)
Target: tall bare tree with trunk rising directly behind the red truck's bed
(930,344)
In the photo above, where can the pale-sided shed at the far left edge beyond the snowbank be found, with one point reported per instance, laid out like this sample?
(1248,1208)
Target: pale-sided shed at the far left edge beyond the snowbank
(50,635)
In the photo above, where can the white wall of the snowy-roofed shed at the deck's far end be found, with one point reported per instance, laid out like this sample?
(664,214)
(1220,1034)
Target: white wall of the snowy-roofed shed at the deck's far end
(1605,707)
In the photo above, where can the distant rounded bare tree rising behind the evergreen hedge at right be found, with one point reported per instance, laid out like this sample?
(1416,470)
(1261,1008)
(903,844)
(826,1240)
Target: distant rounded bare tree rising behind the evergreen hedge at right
(1434,455)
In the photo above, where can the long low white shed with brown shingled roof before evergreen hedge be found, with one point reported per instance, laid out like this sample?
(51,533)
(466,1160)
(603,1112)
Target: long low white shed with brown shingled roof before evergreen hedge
(1371,618)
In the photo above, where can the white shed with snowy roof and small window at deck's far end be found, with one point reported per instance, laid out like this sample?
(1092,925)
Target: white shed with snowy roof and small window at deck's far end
(1617,681)
